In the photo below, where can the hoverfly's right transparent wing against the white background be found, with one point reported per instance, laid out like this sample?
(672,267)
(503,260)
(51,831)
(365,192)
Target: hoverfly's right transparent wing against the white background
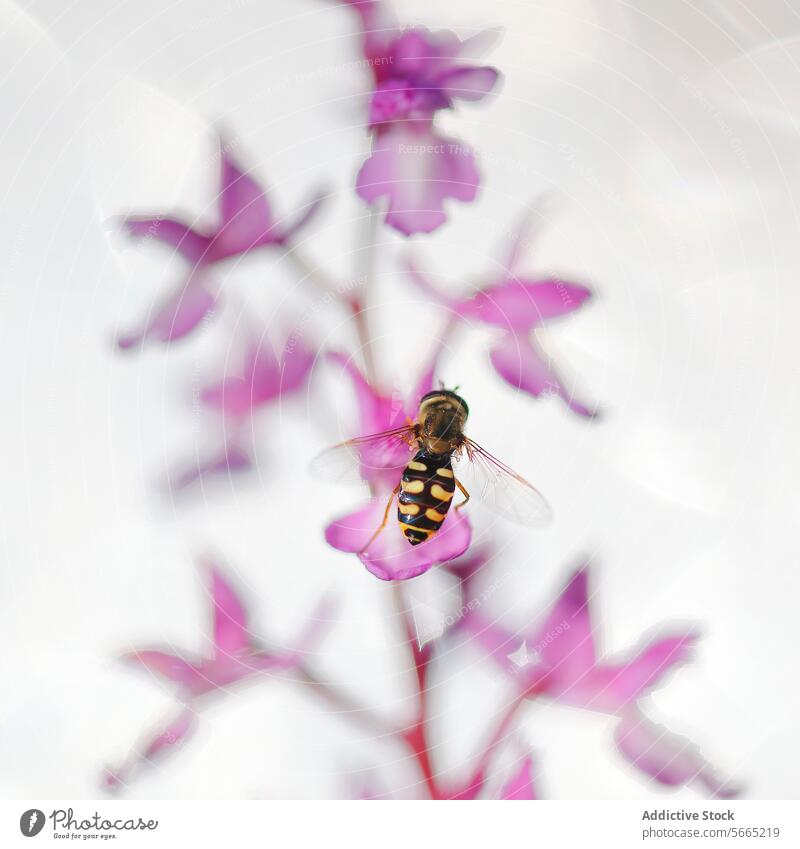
(500,488)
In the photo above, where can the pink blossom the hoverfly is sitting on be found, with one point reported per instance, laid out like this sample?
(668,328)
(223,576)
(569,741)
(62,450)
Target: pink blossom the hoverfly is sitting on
(390,557)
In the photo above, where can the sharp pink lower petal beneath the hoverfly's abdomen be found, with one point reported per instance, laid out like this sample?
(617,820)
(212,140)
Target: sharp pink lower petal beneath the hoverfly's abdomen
(390,557)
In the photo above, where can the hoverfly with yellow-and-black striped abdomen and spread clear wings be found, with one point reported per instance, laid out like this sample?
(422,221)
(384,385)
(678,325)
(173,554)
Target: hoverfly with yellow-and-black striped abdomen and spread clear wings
(442,456)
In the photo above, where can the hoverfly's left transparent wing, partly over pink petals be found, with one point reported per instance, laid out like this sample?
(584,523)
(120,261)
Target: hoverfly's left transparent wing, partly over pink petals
(358,459)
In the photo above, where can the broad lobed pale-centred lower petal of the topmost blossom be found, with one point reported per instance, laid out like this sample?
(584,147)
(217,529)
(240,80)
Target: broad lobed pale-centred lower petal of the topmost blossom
(415,170)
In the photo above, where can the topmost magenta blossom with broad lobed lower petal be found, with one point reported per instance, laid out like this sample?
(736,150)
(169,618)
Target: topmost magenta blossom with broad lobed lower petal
(417,73)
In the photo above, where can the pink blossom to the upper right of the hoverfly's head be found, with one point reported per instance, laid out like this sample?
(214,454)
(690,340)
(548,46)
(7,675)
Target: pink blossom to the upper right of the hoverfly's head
(517,304)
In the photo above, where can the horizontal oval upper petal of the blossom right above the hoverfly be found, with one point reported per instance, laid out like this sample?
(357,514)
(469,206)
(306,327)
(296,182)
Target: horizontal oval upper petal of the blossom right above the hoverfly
(519,305)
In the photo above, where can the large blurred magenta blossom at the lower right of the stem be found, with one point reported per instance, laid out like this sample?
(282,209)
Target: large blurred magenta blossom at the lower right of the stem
(558,658)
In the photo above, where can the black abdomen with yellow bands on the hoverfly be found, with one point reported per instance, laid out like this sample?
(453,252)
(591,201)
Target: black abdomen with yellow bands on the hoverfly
(426,493)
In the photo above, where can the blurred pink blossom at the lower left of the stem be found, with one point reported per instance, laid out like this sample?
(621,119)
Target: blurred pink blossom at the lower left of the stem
(234,656)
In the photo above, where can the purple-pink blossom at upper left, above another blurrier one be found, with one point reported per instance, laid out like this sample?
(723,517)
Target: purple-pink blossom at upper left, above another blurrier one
(246,222)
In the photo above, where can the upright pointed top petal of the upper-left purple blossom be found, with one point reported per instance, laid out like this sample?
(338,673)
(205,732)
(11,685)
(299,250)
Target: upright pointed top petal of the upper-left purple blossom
(246,218)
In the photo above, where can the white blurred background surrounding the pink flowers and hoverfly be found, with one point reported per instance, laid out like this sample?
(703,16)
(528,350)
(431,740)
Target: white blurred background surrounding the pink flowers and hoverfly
(667,135)
